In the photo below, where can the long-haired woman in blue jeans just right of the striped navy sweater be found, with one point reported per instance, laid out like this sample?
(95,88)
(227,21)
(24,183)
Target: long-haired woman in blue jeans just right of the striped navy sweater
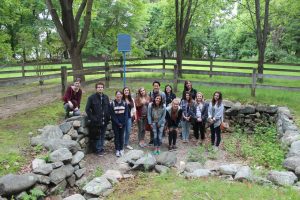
(131,115)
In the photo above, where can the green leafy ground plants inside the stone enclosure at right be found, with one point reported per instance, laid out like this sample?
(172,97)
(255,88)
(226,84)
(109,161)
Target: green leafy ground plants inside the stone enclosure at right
(260,148)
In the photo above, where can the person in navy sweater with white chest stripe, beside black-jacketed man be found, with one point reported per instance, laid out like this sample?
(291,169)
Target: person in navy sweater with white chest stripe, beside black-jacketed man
(119,117)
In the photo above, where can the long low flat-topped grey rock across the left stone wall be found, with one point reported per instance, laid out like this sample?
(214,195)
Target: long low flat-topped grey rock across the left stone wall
(55,144)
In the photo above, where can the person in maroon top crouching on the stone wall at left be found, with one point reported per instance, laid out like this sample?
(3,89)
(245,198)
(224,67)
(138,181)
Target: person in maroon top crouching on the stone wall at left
(72,98)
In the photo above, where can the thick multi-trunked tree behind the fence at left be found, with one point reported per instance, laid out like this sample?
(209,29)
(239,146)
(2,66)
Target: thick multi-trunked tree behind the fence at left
(69,29)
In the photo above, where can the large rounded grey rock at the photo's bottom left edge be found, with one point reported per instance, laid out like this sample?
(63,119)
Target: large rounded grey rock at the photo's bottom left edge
(13,184)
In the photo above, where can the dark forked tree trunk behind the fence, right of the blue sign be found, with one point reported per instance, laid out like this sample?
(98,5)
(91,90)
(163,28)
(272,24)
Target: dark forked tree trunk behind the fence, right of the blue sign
(184,12)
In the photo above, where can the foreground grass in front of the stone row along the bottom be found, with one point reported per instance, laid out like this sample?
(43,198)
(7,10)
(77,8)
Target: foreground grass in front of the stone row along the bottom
(170,186)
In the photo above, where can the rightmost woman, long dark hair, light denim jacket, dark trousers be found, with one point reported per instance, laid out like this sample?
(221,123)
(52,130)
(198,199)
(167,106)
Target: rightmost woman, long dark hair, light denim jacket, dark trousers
(215,117)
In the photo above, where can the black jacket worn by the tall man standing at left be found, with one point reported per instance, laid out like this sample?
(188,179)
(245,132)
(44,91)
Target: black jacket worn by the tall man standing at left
(98,111)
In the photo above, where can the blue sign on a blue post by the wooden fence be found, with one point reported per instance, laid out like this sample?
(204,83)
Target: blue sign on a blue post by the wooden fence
(124,41)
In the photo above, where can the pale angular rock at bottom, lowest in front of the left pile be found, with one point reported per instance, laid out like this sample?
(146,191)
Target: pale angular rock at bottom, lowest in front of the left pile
(97,186)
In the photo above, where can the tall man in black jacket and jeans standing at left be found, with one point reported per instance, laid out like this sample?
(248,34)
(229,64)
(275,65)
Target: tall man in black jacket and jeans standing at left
(98,112)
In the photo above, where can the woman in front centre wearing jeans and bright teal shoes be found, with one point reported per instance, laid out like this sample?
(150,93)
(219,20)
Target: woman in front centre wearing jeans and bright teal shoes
(156,119)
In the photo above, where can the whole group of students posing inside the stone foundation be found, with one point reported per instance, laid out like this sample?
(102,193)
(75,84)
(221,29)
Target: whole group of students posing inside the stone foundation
(159,112)
